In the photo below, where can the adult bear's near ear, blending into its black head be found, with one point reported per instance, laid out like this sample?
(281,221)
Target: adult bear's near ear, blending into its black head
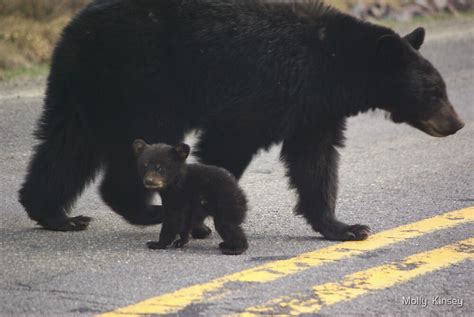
(390,50)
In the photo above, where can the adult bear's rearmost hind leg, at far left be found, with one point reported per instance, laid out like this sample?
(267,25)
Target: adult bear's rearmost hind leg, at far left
(58,172)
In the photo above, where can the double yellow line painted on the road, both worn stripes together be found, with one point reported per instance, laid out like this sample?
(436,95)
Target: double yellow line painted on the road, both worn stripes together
(326,294)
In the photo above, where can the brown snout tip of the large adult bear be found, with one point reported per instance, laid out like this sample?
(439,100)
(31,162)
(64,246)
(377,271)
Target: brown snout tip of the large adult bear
(444,122)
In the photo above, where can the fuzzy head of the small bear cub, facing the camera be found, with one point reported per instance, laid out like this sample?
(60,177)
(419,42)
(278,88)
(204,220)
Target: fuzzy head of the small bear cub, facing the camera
(160,165)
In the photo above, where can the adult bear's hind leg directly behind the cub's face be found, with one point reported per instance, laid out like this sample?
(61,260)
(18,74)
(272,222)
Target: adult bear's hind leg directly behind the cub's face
(123,191)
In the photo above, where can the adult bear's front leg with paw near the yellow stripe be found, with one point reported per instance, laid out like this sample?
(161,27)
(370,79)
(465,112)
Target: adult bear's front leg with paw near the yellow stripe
(312,161)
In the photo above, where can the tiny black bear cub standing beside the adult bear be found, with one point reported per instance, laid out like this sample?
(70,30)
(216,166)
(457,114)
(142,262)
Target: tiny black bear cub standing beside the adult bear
(190,193)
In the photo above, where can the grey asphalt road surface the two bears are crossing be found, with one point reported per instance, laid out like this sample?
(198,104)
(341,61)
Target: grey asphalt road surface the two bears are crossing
(391,175)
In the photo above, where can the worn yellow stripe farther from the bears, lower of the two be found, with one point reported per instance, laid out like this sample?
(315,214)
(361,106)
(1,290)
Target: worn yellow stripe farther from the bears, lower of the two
(363,282)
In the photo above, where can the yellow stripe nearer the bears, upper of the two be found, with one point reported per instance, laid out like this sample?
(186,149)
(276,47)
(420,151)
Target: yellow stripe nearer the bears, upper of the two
(175,301)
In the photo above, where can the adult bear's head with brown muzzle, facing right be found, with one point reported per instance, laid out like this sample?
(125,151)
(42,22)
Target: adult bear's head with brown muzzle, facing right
(410,88)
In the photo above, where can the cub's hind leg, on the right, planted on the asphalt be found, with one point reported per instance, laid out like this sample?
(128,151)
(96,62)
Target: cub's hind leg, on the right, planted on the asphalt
(235,241)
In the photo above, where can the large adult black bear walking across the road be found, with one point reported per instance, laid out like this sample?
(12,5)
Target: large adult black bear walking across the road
(247,74)
